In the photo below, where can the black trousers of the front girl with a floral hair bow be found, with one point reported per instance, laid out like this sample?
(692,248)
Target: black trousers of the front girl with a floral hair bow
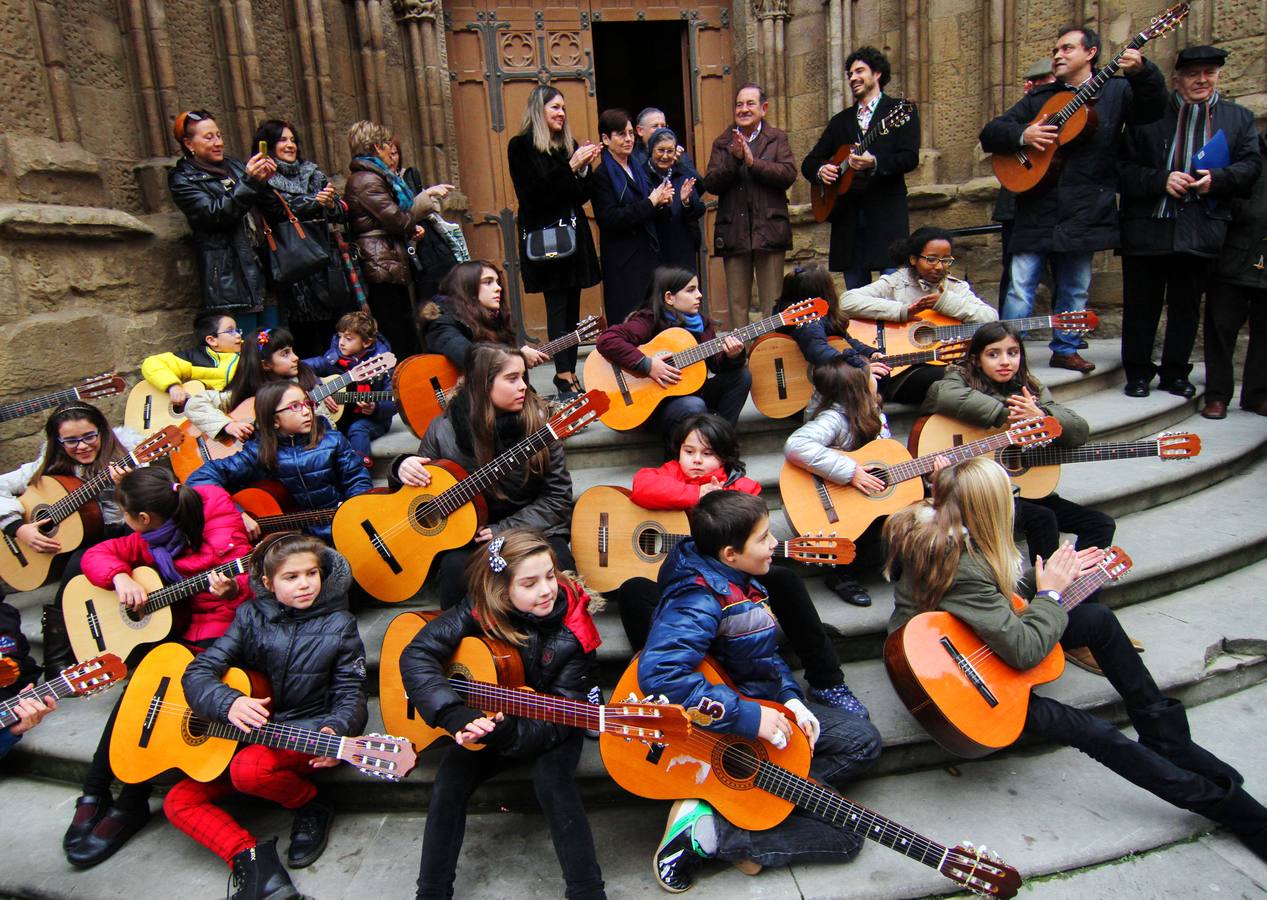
(554,780)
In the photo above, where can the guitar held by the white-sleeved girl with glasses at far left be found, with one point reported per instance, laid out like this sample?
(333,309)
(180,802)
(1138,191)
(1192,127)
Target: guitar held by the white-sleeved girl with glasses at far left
(65,508)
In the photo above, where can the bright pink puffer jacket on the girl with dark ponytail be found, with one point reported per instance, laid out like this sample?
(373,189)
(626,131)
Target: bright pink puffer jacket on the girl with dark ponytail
(224,541)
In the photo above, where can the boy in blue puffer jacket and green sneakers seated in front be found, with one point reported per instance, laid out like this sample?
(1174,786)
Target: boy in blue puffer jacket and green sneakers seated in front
(713,604)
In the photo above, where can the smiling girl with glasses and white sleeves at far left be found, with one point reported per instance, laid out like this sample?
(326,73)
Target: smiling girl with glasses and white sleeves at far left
(78,443)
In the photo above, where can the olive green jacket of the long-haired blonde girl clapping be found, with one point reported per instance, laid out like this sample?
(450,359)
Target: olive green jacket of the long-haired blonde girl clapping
(1021,641)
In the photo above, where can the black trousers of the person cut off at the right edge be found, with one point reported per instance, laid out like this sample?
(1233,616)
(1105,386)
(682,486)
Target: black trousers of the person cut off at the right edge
(1227,310)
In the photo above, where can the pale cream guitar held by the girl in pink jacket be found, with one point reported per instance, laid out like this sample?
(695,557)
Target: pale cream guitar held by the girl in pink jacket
(98,622)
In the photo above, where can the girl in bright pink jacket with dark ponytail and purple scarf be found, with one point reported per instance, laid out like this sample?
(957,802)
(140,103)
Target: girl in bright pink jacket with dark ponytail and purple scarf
(181,532)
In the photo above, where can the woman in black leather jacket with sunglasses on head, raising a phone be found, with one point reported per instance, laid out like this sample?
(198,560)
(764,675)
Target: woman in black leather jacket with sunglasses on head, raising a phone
(217,195)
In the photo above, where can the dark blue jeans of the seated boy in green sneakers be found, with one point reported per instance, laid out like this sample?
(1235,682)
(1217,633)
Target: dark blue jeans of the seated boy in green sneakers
(847,747)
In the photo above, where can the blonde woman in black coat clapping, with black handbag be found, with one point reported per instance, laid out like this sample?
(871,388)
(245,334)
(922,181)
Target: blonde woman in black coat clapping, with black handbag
(553,178)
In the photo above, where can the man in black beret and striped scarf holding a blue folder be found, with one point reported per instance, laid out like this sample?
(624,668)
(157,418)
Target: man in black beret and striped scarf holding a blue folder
(1175,214)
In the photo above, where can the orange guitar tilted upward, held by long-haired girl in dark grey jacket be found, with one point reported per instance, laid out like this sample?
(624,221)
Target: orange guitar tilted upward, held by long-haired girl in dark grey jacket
(392,539)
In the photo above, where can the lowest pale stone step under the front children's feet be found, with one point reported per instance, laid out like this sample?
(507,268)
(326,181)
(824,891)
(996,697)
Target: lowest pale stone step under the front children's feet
(1045,813)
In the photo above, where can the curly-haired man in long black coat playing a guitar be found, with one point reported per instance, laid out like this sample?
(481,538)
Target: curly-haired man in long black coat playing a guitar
(872,216)
